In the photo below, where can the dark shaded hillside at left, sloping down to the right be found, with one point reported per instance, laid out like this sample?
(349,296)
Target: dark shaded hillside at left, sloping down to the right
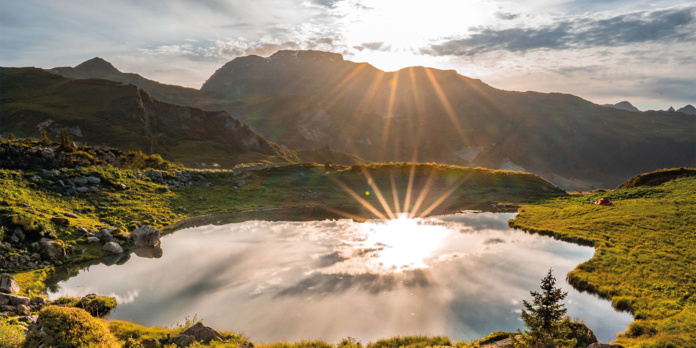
(98,111)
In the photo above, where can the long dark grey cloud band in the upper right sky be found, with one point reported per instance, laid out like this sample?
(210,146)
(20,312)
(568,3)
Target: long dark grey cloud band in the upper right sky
(673,25)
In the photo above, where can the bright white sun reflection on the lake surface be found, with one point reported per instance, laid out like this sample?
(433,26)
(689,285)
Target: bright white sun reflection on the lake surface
(390,246)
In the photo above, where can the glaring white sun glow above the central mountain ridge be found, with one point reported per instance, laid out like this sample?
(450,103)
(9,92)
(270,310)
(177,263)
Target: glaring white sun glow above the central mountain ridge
(389,34)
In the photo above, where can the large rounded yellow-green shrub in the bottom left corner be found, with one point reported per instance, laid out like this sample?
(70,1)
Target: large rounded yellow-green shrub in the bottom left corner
(62,327)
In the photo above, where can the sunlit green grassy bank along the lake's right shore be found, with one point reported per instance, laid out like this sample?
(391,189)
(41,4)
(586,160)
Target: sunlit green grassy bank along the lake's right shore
(645,255)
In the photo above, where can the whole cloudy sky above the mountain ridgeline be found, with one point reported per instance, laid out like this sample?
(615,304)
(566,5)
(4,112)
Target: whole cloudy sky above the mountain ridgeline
(605,51)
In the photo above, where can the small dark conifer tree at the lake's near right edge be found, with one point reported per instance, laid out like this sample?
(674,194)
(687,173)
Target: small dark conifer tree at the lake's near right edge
(543,317)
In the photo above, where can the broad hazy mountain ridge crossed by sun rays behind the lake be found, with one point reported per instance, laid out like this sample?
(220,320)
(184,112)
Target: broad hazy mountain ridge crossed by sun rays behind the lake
(311,99)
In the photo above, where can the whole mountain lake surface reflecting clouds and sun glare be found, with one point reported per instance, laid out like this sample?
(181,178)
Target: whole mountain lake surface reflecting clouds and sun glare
(462,276)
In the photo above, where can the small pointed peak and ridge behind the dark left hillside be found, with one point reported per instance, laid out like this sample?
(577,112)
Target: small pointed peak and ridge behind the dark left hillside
(101,69)
